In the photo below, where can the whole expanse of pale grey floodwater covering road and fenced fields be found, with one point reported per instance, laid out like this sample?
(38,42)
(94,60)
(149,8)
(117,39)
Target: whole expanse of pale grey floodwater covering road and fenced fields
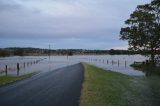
(28,64)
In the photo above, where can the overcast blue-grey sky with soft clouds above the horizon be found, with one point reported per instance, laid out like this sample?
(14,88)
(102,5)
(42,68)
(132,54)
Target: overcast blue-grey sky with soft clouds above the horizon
(81,24)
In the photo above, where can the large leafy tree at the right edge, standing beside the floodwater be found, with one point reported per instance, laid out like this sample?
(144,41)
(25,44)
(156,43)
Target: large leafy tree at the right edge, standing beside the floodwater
(143,29)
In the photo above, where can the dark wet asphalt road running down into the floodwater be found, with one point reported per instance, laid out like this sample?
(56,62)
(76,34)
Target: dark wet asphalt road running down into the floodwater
(59,87)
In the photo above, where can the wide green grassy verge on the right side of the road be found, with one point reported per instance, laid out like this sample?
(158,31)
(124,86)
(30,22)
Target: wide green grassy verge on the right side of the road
(106,88)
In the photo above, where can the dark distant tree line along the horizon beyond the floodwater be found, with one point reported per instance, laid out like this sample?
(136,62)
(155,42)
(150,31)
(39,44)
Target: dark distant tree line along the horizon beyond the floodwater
(14,51)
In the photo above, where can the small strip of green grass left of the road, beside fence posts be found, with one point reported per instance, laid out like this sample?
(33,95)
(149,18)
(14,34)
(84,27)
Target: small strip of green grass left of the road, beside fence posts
(9,79)
